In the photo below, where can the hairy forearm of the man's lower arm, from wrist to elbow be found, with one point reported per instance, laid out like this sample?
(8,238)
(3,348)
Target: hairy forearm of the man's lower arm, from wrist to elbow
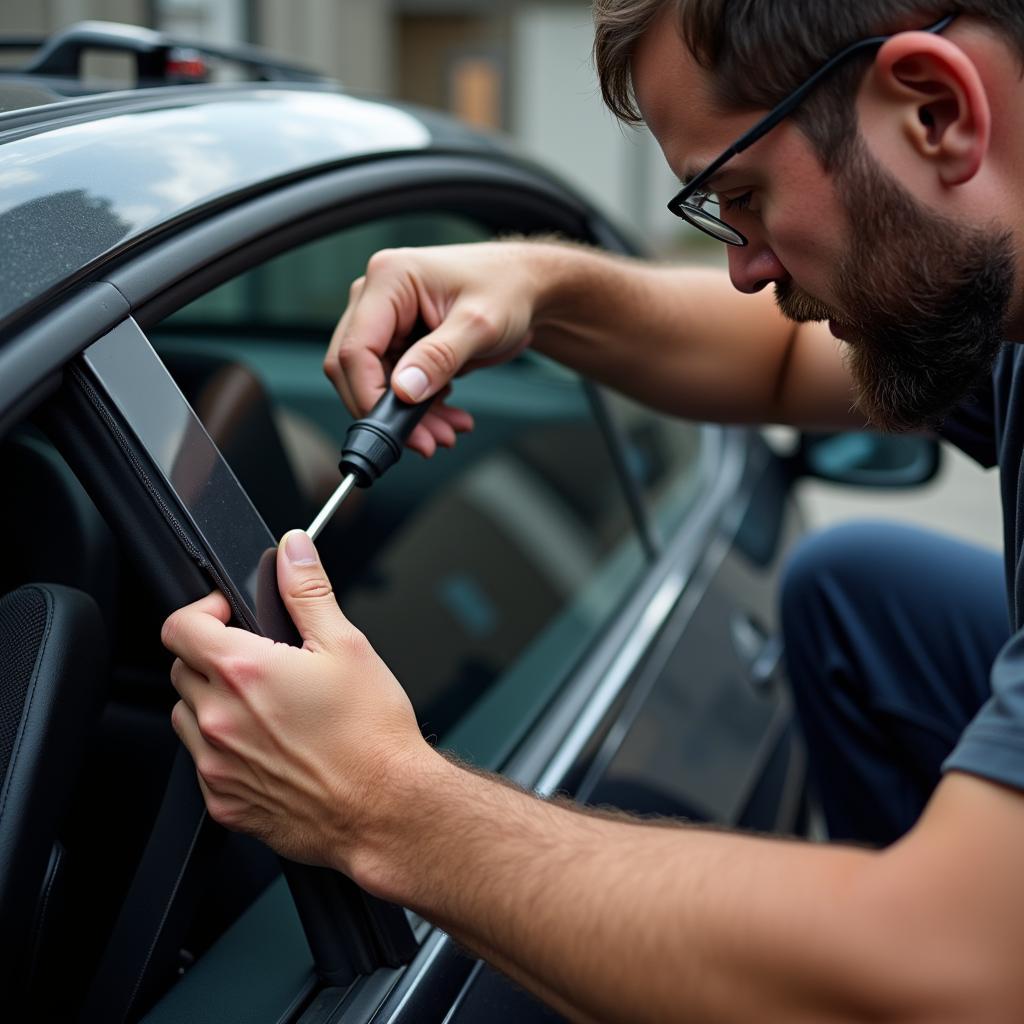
(630,922)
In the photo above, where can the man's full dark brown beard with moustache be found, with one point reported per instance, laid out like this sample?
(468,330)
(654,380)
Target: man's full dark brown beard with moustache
(923,300)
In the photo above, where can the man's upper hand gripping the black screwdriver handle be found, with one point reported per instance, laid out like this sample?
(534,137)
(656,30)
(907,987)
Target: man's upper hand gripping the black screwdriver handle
(479,303)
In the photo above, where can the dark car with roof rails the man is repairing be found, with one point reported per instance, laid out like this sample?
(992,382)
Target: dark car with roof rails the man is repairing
(580,595)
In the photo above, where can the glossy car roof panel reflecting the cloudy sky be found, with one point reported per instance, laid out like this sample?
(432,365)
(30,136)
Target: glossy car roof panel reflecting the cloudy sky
(83,180)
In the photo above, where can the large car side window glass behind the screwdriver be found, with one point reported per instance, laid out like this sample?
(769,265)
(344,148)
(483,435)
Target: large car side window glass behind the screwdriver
(481,576)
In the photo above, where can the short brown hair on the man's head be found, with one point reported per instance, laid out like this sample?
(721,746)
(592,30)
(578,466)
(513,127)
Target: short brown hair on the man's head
(759,51)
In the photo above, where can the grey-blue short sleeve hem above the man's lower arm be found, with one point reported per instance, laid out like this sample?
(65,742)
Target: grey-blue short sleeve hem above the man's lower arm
(993,746)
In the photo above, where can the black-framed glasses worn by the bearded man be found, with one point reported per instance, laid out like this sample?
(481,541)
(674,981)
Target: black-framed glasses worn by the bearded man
(701,207)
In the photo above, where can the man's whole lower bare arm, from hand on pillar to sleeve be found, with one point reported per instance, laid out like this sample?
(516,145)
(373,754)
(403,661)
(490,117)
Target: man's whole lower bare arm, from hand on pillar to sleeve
(613,919)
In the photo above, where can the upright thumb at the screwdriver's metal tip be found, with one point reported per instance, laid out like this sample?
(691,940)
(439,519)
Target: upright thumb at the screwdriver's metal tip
(308,593)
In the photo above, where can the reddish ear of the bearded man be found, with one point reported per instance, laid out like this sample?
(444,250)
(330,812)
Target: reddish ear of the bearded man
(936,91)
